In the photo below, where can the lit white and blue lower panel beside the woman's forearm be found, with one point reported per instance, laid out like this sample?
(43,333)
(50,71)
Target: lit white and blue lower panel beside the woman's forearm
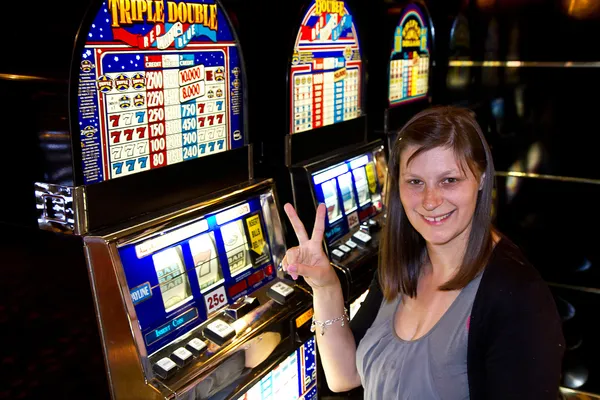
(294,378)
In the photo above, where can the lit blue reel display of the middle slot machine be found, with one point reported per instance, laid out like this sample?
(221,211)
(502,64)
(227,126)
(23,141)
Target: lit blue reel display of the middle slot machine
(352,191)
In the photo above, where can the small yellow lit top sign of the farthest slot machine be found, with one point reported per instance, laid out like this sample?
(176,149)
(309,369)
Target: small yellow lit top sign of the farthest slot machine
(409,62)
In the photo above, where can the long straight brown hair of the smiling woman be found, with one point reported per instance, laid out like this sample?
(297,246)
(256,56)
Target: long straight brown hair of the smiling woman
(403,249)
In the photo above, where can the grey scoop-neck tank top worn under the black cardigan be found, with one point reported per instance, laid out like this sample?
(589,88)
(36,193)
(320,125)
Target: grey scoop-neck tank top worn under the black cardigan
(433,366)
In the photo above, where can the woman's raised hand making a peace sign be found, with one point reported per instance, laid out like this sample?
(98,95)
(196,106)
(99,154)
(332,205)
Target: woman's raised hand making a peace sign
(308,258)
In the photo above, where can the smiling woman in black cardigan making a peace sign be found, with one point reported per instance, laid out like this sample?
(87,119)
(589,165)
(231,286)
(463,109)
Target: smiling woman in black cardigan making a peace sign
(455,311)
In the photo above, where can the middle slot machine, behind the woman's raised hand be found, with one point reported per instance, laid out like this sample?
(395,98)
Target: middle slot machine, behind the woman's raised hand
(315,61)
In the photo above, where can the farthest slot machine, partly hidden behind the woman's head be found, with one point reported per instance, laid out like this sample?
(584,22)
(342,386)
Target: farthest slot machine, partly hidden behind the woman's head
(402,65)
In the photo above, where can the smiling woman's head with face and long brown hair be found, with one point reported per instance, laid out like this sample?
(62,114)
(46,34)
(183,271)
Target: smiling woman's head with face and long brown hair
(443,170)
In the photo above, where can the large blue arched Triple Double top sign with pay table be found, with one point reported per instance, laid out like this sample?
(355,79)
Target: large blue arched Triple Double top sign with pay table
(159,84)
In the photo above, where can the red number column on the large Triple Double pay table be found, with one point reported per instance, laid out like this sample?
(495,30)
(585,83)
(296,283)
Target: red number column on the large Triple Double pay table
(155,99)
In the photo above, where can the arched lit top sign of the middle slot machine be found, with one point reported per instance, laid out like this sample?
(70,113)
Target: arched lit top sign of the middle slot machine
(326,70)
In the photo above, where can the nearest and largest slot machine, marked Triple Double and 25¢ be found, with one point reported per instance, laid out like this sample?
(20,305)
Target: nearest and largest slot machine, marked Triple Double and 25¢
(149,213)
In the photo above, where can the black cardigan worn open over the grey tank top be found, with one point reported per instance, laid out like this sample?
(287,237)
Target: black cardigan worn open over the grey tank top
(515,344)
